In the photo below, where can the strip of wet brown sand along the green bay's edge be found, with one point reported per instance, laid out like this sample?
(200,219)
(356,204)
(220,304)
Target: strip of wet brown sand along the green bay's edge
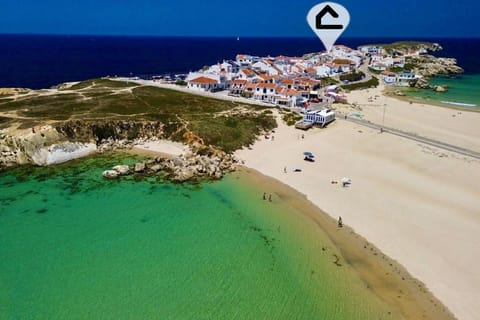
(385,277)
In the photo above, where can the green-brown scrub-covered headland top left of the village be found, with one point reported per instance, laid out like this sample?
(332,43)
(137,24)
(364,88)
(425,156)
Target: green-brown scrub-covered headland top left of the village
(223,124)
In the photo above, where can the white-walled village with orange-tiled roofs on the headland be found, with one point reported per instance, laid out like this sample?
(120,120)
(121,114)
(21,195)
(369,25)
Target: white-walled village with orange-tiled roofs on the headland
(316,80)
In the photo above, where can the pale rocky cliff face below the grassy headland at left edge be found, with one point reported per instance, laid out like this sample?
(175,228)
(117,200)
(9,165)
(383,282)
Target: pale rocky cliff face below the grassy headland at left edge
(48,145)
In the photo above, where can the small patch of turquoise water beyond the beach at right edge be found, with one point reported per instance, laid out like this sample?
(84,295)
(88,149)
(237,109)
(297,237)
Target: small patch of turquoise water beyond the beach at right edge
(462,90)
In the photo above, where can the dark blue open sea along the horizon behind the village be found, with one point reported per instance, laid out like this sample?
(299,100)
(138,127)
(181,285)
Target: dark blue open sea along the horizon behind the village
(42,61)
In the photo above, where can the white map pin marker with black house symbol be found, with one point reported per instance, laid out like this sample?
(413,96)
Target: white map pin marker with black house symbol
(328,20)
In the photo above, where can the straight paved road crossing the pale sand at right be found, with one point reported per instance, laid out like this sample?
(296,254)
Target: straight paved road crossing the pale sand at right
(411,136)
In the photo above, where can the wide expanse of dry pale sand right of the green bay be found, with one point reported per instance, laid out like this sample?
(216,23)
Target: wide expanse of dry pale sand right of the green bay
(418,204)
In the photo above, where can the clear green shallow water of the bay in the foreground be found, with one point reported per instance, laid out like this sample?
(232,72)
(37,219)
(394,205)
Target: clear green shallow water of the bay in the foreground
(76,246)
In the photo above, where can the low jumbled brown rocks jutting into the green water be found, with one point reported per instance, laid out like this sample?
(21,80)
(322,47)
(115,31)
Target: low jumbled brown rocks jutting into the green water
(191,167)
